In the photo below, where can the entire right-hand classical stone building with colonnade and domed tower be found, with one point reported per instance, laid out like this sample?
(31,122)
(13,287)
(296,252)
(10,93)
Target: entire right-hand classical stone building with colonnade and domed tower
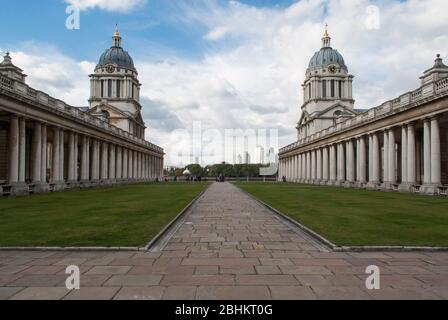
(401,145)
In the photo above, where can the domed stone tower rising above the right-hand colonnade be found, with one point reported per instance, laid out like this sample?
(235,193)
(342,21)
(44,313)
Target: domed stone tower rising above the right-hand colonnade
(327,91)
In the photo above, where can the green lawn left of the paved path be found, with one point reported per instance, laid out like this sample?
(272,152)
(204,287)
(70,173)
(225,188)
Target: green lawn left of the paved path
(119,216)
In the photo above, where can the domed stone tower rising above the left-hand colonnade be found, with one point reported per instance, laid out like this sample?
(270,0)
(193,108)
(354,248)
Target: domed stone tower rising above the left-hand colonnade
(115,90)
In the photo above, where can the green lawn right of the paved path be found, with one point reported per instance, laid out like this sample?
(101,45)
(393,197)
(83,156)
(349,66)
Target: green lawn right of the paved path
(360,217)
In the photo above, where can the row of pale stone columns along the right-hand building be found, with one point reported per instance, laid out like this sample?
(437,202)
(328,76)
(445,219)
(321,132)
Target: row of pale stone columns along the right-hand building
(401,158)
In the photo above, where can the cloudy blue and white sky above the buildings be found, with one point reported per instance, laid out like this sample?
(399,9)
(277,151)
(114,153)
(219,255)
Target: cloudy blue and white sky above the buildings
(222,65)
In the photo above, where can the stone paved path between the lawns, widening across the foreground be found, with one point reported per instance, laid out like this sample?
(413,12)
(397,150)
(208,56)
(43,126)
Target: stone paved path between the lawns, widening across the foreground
(229,247)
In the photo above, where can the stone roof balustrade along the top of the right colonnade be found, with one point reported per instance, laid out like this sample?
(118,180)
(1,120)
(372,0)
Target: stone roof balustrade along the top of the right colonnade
(404,101)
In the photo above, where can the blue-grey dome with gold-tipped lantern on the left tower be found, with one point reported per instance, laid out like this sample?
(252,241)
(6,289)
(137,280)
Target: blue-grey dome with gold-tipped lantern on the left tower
(116,55)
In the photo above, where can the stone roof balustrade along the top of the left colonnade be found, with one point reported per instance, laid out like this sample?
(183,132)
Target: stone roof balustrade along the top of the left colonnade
(43,98)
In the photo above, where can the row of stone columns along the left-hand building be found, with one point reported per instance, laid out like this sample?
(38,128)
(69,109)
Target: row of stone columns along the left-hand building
(45,157)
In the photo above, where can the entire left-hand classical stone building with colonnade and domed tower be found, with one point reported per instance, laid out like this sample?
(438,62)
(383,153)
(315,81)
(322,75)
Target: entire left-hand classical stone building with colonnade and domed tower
(47,145)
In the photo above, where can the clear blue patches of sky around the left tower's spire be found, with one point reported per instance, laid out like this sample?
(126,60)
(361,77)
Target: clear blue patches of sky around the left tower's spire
(149,25)
